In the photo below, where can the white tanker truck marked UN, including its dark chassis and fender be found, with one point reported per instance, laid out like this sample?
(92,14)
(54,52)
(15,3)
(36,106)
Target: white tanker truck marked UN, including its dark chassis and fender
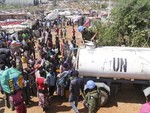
(109,65)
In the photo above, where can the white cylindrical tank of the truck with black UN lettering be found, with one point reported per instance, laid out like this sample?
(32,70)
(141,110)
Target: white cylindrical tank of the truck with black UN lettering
(114,62)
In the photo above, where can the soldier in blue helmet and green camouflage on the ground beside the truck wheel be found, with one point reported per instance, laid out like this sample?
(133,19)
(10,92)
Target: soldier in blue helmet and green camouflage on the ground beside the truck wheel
(92,97)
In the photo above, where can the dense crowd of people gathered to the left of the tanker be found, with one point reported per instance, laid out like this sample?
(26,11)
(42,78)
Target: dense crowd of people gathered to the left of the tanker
(52,70)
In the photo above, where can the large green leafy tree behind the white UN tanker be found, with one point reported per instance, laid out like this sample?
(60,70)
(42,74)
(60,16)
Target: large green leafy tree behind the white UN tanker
(130,24)
